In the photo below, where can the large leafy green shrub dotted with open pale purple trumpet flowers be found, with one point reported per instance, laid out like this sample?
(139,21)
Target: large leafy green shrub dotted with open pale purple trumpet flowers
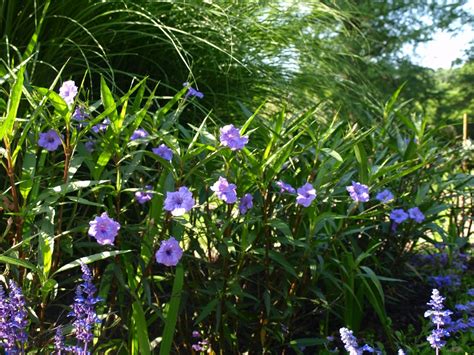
(200,226)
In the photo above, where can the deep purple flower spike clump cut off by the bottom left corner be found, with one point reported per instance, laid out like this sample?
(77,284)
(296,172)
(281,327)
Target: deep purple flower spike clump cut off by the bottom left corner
(13,319)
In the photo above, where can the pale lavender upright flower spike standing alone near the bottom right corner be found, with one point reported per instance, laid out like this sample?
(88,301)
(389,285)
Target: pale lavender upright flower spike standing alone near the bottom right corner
(439,317)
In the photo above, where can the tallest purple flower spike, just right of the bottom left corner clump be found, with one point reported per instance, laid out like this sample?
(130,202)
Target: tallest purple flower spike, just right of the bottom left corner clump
(83,309)
